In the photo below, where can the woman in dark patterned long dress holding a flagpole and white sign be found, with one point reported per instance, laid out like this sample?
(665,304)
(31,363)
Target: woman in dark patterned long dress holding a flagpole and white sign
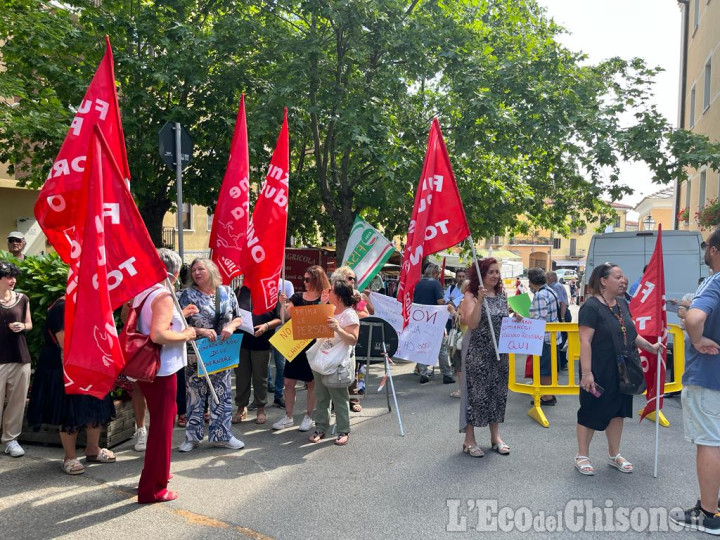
(486,378)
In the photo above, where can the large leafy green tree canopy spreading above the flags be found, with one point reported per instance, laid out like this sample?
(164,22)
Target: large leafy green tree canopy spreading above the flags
(535,134)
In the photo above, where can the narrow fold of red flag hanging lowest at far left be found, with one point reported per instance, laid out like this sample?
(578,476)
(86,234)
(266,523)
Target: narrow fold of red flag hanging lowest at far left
(92,359)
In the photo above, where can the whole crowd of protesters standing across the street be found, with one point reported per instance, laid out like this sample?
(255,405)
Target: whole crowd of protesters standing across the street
(477,303)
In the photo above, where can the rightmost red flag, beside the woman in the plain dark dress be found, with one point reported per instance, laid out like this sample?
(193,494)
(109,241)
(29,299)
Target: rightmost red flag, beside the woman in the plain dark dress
(648,312)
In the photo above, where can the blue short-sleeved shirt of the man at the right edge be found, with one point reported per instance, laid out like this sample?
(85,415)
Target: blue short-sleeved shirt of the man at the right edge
(704,369)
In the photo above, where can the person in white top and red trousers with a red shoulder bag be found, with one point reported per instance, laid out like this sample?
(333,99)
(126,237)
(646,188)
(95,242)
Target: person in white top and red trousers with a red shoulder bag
(166,326)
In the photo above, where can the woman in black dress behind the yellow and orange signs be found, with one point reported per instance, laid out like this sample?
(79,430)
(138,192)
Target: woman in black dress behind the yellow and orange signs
(317,291)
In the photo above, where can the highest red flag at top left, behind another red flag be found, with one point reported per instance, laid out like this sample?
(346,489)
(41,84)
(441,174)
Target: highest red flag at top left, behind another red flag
(58,206)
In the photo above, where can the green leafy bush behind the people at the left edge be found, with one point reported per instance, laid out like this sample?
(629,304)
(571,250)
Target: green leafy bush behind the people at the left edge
(43,279)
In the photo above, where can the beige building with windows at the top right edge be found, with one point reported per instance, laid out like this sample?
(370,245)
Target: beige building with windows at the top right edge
(699,104)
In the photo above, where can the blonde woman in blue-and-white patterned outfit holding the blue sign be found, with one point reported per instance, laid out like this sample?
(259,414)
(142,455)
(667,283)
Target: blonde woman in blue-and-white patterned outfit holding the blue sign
(218,316)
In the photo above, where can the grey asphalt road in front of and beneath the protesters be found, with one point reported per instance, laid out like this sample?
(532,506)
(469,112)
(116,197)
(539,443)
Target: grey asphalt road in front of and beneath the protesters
(381,485)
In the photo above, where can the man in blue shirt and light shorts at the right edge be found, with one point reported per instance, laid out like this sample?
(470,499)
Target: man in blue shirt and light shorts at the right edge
(701,393)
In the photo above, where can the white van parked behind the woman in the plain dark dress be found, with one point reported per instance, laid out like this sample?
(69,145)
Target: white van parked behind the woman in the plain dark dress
(682,257)
